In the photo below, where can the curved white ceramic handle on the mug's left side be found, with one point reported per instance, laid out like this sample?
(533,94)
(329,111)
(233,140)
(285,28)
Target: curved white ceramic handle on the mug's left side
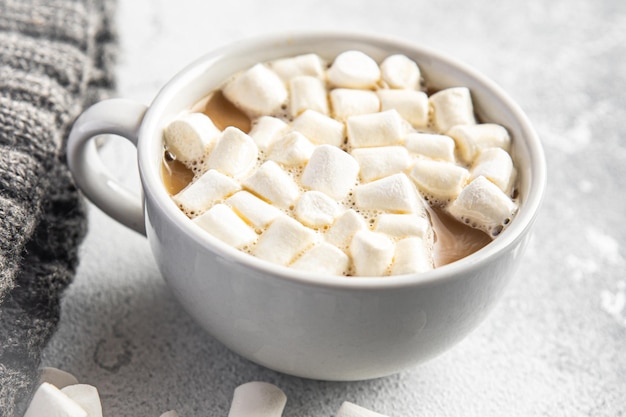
(120,117)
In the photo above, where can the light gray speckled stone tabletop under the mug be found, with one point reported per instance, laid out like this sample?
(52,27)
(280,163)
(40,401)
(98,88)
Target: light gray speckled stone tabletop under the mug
(556,343)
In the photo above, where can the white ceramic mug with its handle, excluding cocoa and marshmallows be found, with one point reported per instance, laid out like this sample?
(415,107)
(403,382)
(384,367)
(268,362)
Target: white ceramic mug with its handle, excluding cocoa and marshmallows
(299,323)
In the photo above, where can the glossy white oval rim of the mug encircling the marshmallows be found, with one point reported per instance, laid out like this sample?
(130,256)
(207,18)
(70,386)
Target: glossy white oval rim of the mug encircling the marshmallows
(153,187)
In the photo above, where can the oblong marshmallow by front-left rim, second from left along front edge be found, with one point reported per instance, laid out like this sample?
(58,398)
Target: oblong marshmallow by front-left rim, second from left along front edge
(223,223)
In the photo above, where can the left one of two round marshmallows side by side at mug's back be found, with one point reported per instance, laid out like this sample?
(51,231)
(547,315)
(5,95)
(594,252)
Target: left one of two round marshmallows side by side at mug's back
(354,69)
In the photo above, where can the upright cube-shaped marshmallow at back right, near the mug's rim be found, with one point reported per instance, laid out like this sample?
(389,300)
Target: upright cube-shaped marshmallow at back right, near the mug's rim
(451,107)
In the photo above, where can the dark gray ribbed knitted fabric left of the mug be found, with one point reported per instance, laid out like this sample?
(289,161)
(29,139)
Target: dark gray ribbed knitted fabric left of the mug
(55,59)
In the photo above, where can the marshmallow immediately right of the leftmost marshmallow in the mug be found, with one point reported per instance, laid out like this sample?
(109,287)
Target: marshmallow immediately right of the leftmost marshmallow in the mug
(235,153)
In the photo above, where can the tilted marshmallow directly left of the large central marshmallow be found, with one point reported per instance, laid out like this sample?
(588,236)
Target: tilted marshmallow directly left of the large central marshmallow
(273,184)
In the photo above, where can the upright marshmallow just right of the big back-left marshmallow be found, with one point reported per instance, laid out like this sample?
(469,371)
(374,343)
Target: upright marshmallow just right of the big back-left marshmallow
(307,93)
